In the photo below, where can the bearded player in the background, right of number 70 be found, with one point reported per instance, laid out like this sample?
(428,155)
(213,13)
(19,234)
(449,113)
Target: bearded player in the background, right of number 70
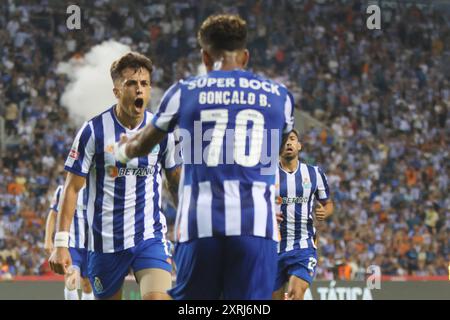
(298,187)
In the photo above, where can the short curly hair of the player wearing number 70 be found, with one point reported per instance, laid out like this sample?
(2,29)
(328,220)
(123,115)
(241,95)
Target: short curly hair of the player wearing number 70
(223,32)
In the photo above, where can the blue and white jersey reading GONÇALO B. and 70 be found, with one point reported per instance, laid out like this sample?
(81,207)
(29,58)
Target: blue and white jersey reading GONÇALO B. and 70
(225,119)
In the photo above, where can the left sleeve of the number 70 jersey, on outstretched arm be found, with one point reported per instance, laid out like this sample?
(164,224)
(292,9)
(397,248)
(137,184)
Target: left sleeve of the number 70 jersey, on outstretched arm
(166,116)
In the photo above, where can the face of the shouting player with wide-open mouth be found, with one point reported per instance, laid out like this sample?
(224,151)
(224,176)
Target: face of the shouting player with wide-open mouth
(133,91)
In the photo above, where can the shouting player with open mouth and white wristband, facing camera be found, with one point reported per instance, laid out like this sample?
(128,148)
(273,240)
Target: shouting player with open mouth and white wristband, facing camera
(126,226)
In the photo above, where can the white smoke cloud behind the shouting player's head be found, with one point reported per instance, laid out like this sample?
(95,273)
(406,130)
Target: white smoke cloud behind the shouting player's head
(90,89)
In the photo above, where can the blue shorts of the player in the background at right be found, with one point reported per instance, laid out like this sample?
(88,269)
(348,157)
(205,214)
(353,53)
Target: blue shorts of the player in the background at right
(298,262)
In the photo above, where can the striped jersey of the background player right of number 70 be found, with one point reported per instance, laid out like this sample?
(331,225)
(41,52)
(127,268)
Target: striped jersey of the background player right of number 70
(295,195)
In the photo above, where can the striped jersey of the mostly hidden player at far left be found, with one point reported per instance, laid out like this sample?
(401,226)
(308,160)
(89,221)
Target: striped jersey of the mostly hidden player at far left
(78,227)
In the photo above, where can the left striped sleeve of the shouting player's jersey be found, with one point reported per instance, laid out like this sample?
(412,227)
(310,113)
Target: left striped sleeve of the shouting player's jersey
(82,152)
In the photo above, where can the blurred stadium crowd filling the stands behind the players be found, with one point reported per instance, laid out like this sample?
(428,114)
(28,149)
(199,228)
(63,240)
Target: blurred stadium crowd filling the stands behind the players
(382,95)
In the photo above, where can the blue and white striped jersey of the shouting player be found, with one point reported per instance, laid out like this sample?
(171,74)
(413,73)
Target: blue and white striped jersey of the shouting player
(124,200)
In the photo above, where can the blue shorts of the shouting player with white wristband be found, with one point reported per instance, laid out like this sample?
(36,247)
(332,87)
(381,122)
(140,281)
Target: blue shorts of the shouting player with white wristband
(107,271)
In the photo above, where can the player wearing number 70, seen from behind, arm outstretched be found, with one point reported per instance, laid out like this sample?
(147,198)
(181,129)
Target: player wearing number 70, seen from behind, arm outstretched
(226,223)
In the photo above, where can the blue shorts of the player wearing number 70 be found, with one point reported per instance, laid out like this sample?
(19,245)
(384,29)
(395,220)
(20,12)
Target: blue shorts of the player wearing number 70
(238,267)
